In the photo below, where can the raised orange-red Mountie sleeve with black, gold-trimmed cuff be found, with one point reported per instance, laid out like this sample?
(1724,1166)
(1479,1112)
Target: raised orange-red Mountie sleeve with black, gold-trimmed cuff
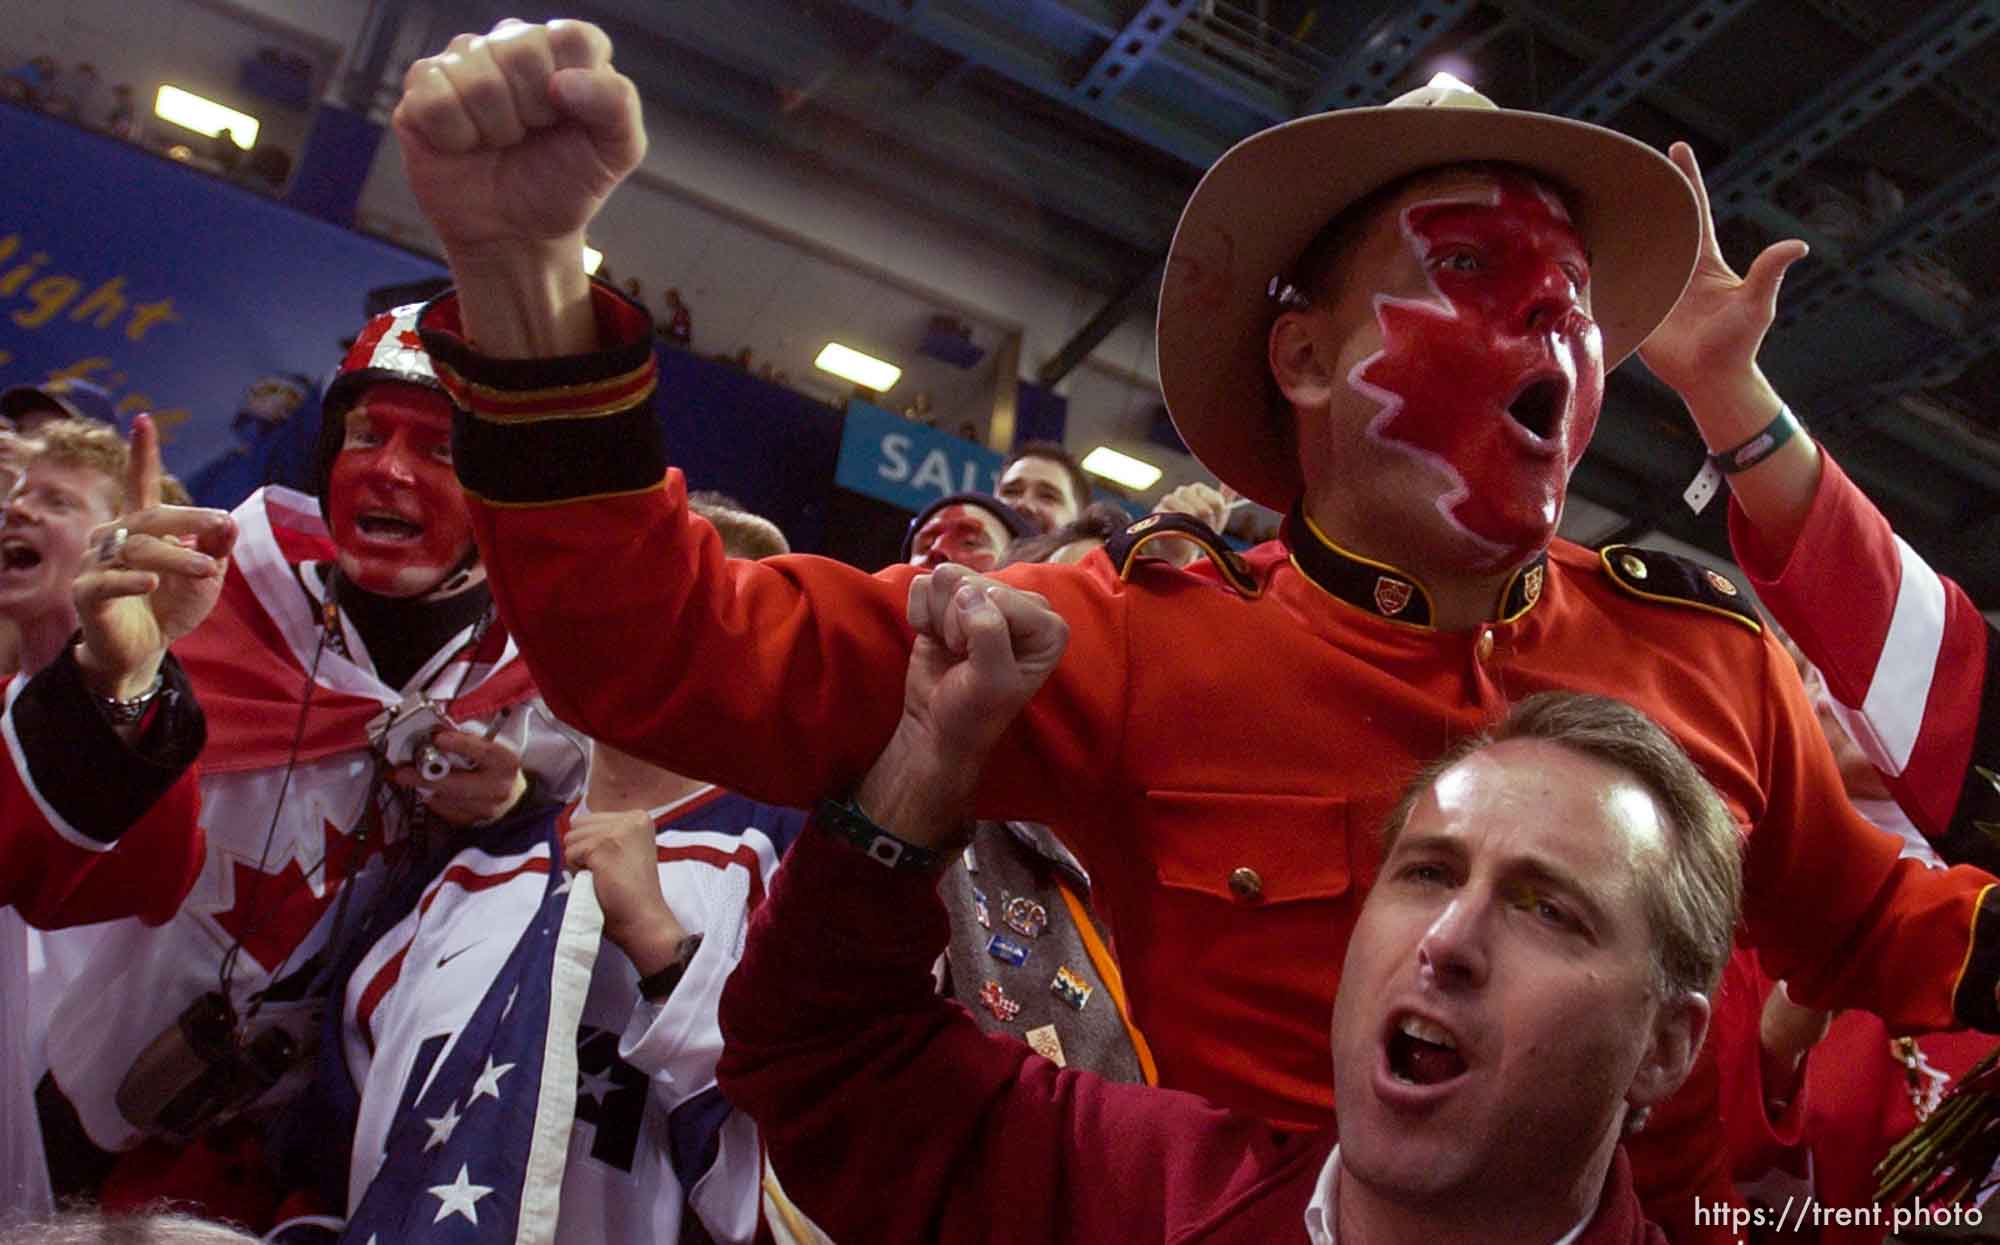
(781,678)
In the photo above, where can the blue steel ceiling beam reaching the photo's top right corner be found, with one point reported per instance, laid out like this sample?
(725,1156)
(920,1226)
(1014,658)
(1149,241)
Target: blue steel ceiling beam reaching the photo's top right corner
(1889,75)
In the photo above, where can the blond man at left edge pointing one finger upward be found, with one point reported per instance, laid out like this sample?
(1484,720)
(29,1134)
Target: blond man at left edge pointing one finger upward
(97,800)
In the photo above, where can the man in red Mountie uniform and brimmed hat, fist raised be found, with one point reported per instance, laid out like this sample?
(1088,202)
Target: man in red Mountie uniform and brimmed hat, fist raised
(1395,325)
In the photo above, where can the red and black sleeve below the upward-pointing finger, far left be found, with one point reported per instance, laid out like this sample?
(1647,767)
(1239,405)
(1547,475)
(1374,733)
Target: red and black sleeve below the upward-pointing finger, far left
(93,830)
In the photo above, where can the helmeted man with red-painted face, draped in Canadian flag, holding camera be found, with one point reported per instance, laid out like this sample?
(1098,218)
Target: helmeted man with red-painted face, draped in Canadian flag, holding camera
(339,611)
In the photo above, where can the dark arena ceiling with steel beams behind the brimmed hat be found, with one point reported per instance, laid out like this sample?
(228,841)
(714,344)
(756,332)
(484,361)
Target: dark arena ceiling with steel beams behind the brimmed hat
(1071,131)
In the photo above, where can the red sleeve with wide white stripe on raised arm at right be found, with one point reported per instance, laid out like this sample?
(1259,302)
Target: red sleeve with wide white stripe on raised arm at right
(1903,650)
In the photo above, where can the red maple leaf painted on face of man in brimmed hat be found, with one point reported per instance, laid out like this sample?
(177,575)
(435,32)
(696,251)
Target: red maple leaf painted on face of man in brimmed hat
(1497,377)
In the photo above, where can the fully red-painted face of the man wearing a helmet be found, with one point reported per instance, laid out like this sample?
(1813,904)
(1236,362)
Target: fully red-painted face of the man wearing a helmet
(395,505)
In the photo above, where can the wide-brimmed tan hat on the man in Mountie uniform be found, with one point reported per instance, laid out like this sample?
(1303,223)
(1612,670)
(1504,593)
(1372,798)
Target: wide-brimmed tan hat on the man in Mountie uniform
(1273,193)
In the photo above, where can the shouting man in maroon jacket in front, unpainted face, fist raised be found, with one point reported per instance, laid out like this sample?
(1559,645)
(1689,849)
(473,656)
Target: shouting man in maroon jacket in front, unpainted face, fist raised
(1529,978)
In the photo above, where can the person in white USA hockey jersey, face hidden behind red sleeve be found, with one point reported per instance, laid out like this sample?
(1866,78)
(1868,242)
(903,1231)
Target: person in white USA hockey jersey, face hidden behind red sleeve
(679,868)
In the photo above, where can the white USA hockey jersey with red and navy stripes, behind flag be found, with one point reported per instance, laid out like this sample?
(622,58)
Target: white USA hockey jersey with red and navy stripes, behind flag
(651,1136)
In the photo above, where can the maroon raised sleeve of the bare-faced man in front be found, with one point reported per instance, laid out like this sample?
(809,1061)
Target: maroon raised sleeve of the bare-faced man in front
(833,1034)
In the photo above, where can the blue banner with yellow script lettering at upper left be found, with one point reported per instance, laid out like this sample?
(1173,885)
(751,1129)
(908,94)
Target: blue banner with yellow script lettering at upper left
(169,287)
